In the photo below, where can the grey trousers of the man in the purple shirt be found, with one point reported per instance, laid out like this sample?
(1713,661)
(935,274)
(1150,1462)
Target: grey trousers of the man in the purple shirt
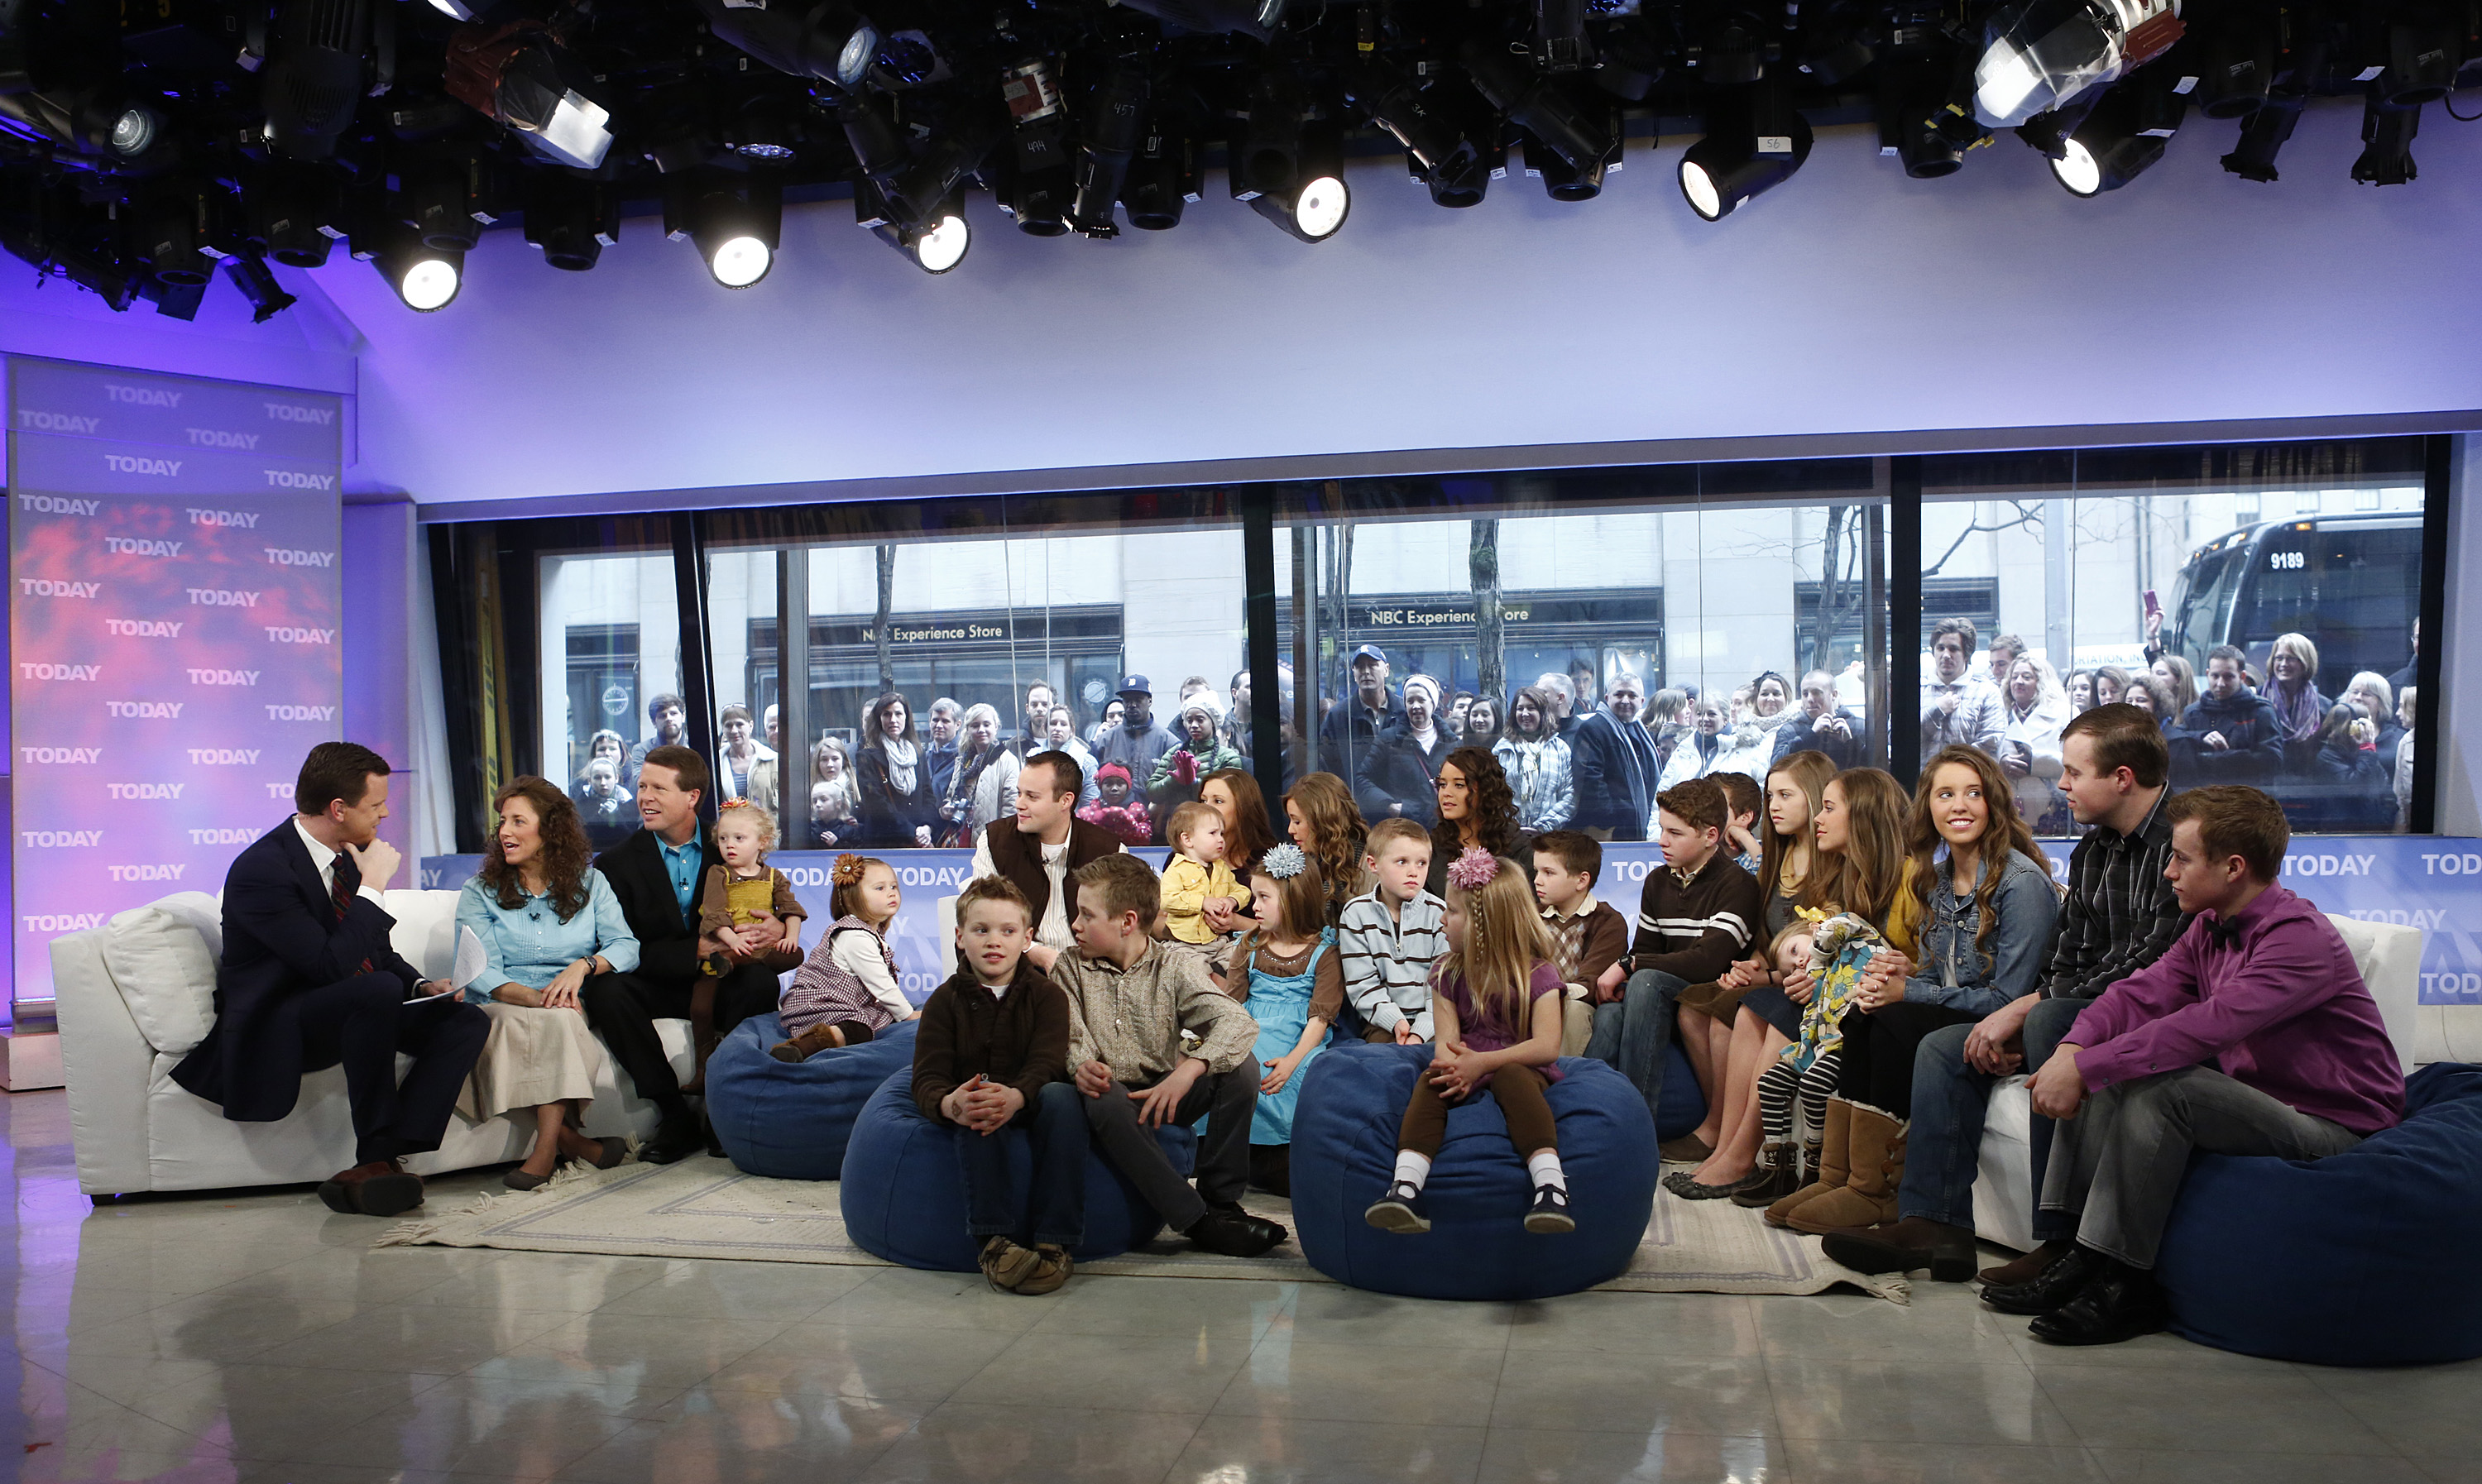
(2118,1163)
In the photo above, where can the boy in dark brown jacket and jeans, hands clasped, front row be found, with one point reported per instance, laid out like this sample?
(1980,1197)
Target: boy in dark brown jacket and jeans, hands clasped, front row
(994,1053)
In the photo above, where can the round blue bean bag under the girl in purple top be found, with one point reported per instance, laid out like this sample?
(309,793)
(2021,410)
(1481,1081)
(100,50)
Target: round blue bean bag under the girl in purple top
(1478,1192)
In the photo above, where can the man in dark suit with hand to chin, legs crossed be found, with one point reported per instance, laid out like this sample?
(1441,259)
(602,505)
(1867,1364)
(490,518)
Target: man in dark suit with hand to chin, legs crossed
(309,981)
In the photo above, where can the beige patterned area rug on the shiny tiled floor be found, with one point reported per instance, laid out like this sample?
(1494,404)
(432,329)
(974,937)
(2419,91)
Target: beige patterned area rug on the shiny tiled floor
(701,1207)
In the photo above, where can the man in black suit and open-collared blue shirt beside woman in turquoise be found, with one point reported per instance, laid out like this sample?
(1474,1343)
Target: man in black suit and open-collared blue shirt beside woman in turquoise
(659,875)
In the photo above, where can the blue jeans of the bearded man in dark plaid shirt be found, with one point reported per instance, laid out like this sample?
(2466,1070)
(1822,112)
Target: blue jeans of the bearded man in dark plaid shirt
(1947,1138)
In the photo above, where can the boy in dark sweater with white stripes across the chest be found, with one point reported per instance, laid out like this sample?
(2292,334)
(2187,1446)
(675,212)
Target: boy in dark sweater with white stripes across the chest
(1696,917)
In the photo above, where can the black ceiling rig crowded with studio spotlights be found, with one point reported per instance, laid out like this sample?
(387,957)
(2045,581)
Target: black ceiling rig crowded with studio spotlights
(145,148)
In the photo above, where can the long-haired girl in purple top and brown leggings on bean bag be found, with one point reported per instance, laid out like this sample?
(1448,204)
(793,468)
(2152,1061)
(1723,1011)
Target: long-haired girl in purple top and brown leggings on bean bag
(1498,1019)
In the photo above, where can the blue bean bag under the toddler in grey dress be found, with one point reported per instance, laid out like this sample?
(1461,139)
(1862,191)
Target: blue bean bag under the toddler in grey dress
(791,1120)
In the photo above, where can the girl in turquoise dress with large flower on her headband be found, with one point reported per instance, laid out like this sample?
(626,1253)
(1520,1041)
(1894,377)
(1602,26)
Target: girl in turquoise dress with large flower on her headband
(1294,989)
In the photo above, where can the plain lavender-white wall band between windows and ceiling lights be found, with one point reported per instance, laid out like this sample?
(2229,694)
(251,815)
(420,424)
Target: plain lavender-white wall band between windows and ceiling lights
(1848,302)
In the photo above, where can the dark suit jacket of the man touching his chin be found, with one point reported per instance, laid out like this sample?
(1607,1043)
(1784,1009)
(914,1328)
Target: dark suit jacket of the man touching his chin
(282,937)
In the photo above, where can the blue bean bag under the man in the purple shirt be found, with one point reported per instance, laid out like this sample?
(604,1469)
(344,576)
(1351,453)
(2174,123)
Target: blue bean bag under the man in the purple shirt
(2354,1259)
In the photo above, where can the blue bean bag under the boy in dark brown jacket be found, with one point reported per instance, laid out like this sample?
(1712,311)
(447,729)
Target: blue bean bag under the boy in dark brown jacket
(905,1197)
